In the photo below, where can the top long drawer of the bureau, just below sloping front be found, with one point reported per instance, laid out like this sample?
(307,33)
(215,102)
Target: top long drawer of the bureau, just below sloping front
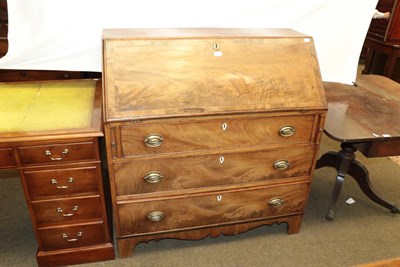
(240,131)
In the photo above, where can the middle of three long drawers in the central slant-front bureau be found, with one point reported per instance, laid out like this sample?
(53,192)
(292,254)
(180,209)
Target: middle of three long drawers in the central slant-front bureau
(175,173)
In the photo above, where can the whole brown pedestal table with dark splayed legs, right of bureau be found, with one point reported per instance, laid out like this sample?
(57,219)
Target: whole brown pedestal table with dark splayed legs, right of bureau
(366,119)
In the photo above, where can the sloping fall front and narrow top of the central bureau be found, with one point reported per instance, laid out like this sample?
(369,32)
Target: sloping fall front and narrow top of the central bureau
(155,73)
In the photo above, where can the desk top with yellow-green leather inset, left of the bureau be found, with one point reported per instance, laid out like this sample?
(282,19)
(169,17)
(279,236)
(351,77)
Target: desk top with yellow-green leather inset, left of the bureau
(37,110)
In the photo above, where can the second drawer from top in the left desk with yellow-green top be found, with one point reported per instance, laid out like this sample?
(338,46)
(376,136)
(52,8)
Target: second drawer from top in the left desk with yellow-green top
(50,183)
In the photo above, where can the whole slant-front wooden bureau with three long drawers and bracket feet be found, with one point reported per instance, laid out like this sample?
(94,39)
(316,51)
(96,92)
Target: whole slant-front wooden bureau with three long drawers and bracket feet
(209,131)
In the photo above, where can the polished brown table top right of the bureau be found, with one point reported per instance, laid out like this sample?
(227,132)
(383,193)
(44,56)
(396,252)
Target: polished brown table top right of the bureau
(367,112)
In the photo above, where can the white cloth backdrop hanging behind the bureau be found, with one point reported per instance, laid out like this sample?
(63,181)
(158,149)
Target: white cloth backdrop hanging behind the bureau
(66,34)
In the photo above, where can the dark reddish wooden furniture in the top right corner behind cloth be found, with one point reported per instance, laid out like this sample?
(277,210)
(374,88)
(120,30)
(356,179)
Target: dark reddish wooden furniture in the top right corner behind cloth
(383,37)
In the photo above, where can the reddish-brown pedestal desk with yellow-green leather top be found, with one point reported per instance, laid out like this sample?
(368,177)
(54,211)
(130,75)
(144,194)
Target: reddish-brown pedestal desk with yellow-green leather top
(50,132)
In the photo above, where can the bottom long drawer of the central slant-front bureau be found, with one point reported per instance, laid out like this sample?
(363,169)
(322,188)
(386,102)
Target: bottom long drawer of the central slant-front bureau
(210,209)
